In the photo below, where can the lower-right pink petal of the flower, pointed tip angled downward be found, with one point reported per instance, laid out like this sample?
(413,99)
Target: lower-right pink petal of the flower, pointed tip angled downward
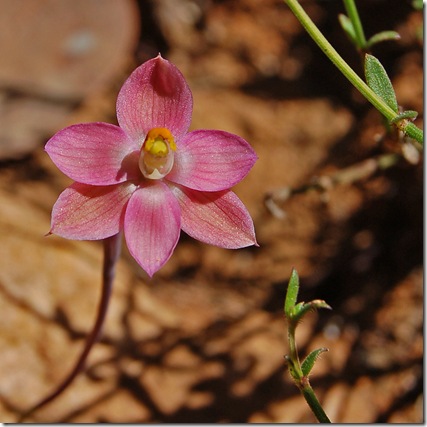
(217,218)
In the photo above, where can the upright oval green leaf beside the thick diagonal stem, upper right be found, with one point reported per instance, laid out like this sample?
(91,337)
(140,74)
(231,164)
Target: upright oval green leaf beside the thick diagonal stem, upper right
(378,81)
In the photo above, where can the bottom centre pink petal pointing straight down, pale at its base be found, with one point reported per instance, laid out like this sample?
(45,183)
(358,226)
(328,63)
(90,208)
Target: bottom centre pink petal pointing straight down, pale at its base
(152,226)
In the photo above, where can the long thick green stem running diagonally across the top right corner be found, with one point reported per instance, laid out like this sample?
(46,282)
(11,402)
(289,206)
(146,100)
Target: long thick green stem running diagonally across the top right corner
(350,74)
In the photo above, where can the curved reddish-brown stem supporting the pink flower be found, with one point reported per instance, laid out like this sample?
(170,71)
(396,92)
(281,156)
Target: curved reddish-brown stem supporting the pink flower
(112,247)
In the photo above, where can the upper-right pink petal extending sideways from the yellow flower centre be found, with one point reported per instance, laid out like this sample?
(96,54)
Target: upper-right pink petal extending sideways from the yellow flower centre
(209,160)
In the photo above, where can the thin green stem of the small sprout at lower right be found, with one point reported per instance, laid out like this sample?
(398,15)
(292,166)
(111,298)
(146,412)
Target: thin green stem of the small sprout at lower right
(301,380)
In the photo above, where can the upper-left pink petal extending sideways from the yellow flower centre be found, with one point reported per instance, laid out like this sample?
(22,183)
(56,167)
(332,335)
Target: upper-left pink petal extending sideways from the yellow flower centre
(94,153)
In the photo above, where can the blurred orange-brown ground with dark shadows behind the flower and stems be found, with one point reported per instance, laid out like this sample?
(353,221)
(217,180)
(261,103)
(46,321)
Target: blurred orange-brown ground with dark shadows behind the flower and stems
(204,340)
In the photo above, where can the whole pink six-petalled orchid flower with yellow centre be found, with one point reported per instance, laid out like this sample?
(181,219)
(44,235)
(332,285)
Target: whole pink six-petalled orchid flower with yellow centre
(149,176)
